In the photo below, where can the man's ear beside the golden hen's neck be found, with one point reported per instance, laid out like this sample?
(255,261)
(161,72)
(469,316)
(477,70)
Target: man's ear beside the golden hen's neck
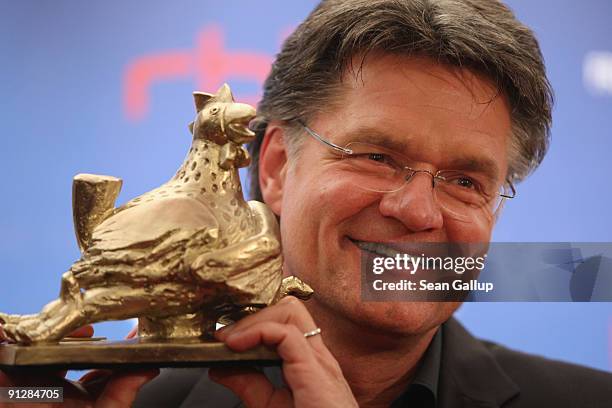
(273,167)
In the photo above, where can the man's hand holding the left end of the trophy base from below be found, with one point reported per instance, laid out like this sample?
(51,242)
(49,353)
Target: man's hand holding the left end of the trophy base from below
(98,388)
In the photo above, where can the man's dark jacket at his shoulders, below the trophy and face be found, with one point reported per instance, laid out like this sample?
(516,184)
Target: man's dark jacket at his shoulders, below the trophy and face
(473,373)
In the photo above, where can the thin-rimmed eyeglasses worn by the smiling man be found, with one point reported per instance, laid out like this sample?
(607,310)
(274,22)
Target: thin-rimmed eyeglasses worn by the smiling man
(462,194)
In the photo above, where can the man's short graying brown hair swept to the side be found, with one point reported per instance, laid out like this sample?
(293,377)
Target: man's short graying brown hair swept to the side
(481,35)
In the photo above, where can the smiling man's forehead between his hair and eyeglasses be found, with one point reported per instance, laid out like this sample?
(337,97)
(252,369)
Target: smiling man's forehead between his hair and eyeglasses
(422,106)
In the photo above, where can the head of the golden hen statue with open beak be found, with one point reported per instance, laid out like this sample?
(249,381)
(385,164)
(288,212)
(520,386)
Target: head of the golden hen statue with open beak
(220,119)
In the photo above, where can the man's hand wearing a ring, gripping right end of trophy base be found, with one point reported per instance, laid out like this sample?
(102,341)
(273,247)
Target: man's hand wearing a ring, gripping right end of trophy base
(310,370)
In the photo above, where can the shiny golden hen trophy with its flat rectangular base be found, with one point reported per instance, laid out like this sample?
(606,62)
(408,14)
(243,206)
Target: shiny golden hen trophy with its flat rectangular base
(180,258)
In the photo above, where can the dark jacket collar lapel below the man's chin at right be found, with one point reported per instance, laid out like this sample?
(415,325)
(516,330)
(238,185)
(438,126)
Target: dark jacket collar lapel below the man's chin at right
(469,374)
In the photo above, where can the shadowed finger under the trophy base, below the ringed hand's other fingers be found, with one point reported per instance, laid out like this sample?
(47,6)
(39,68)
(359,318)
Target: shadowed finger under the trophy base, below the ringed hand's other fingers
(250,385)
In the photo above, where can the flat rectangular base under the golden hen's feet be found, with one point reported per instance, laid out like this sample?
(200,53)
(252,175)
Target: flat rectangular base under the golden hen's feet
(133,353)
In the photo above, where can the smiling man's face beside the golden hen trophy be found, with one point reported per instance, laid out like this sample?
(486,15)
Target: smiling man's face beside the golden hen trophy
(438,116)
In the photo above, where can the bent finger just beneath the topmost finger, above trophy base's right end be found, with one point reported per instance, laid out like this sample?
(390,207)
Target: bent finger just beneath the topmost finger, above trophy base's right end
(290,343)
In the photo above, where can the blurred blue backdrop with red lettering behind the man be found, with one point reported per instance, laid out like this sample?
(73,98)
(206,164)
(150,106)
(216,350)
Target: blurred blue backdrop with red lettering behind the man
(106,88)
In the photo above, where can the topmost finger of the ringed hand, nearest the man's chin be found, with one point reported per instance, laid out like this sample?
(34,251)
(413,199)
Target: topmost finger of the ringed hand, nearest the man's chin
(288,310)
